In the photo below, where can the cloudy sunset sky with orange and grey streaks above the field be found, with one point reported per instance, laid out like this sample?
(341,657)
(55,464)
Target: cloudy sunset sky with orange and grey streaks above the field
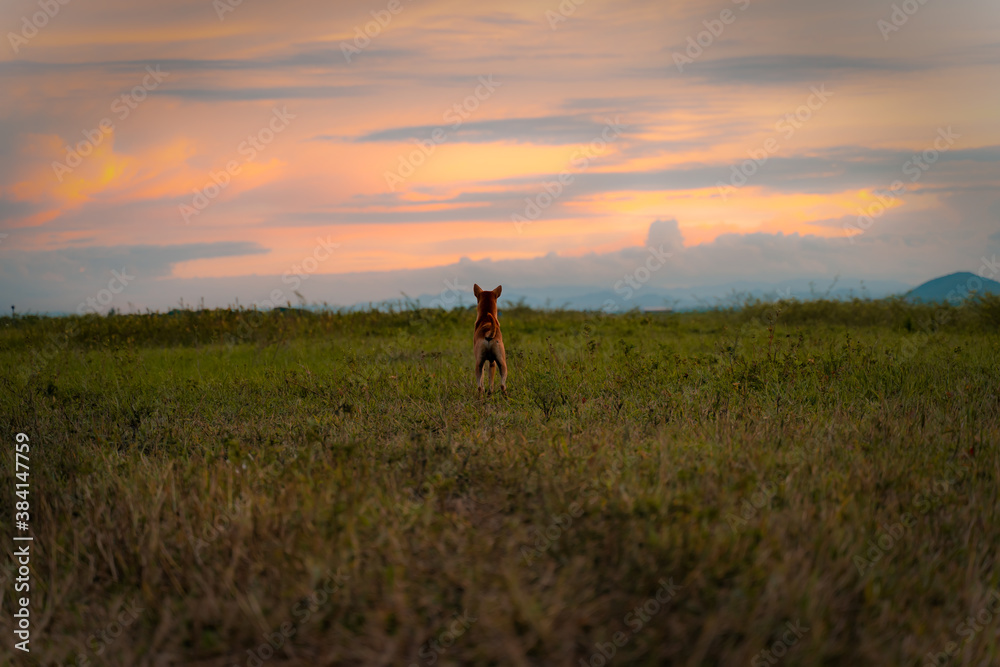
(242,151)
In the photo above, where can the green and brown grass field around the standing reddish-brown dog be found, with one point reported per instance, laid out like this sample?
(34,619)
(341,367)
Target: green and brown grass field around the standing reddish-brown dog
(794,483)
